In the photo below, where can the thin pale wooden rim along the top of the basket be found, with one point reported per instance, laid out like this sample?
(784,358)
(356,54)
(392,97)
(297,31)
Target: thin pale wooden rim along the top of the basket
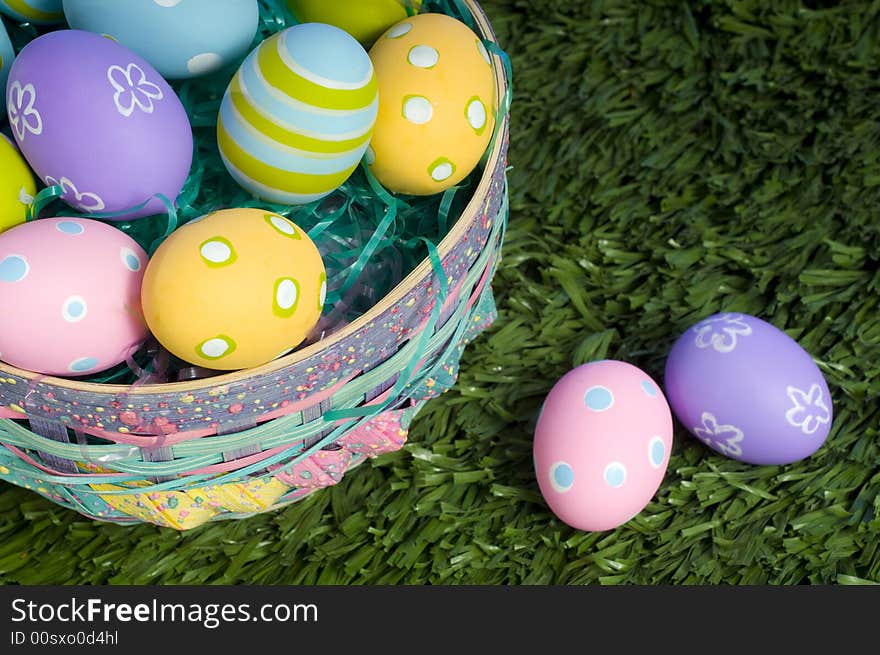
(392,298)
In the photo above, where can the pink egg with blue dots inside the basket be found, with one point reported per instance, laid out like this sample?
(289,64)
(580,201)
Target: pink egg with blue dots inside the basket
(75,285)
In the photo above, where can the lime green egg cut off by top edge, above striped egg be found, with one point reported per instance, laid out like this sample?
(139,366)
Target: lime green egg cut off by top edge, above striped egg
(365,20)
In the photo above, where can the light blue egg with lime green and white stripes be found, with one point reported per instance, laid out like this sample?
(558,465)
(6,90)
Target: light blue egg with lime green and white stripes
(298,115)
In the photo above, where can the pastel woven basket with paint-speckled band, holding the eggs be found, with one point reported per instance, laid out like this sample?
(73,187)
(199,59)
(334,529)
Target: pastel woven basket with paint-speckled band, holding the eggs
(181,454)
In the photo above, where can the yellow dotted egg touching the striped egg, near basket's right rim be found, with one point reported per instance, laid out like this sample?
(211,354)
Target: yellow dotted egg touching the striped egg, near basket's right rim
(437,104)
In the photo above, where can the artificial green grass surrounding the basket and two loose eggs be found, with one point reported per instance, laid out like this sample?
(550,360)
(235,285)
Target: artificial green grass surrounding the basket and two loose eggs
(670,160)
